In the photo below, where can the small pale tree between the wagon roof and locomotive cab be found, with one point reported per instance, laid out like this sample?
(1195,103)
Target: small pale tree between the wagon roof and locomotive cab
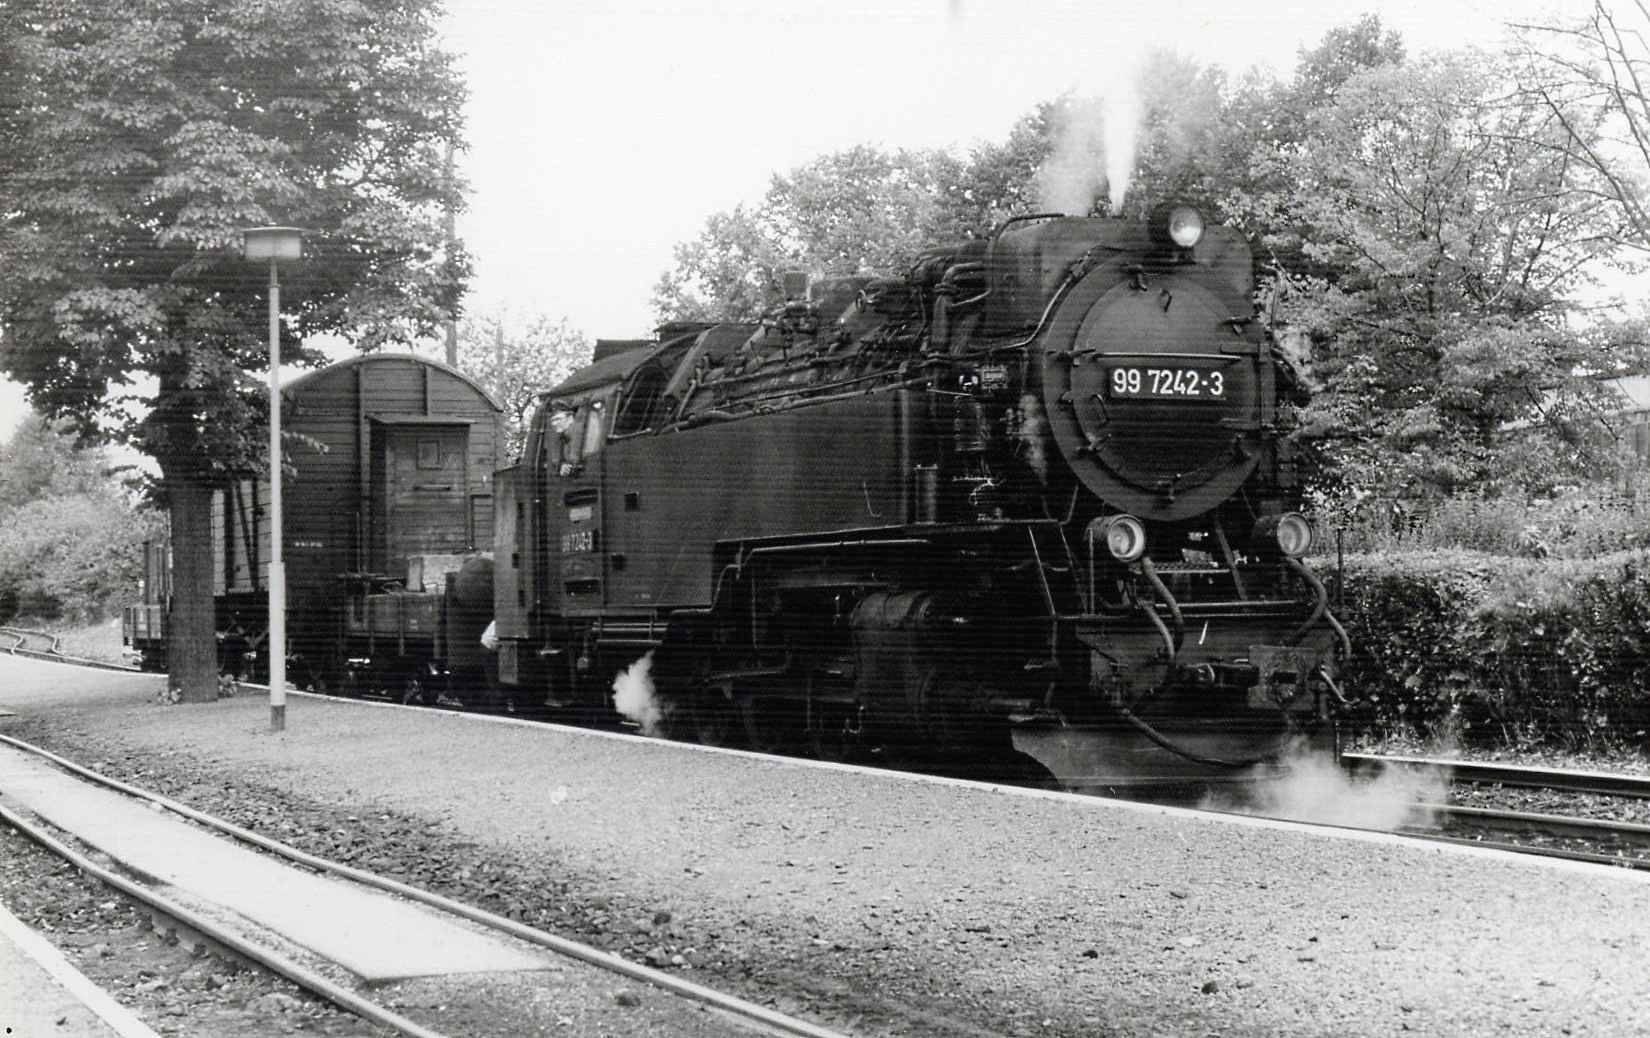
(517,361)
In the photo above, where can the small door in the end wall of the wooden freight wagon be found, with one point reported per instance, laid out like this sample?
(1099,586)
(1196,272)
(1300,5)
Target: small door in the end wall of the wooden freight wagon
(420,498)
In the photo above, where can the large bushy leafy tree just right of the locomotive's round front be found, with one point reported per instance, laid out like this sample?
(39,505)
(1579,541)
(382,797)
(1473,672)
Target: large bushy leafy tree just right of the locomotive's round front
(1445,255)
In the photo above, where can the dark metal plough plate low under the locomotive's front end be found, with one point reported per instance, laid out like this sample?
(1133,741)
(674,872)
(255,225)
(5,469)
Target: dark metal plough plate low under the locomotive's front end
(1096,758)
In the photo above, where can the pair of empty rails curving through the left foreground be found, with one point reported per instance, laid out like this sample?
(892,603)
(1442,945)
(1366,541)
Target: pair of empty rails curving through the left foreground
(217,932)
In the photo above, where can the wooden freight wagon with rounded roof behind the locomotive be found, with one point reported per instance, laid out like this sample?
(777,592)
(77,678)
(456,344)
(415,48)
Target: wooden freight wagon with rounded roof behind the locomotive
(389,489)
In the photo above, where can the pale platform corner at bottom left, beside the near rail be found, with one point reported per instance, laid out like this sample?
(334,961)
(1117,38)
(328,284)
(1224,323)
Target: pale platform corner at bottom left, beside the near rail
(44,994)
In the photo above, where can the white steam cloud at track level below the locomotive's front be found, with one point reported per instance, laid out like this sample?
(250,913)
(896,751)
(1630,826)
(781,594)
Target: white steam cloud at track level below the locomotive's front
(1313,788)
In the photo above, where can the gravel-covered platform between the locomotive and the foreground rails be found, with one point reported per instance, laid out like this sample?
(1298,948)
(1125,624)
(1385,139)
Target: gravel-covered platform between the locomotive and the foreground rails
(887,905)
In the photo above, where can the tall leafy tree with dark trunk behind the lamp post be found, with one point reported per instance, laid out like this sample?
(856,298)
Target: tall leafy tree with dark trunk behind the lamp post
(136,143)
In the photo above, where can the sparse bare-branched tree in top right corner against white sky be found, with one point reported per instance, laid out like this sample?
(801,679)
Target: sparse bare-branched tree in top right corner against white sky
(1593,77)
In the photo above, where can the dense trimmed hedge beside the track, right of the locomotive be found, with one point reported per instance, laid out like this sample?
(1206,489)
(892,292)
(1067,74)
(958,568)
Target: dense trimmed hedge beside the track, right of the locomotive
(1474,646)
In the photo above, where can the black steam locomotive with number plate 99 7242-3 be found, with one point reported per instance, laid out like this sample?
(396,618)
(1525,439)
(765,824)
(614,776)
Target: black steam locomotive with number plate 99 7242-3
(1032,498)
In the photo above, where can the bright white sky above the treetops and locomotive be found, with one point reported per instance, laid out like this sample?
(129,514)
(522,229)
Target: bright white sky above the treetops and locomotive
(605,133)
